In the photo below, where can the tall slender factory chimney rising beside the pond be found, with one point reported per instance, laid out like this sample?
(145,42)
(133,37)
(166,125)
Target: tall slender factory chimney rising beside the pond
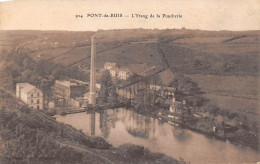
(92,94)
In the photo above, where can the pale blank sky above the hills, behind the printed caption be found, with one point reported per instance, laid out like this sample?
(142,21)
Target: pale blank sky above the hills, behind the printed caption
(235,15)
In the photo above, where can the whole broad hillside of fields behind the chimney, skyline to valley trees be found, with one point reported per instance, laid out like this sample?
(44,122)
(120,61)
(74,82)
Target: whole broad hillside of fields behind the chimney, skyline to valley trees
(225,64)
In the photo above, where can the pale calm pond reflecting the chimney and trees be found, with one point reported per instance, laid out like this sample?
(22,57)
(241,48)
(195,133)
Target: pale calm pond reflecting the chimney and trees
(121,126)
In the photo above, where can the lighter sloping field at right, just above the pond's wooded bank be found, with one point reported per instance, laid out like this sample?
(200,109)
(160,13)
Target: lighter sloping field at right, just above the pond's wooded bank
(234,93)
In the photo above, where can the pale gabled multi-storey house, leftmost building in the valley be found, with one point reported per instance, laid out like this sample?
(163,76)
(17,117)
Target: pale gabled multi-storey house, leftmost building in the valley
(30,95)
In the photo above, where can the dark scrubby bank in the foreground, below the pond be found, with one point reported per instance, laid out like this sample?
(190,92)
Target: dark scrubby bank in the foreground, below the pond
(30,136)
